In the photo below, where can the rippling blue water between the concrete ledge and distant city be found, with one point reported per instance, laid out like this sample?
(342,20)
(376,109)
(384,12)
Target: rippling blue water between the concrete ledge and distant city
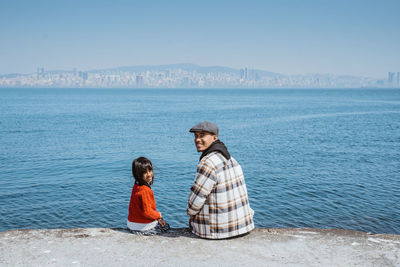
(311,158)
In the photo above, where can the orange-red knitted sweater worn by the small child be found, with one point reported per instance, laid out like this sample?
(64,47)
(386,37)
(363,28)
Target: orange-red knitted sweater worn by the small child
(142,207)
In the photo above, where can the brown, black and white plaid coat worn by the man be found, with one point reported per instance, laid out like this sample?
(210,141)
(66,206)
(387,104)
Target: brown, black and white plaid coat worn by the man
(218,199)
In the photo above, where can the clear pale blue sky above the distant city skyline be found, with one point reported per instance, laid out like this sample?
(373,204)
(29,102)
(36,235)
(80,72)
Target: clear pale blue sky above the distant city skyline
(357,37)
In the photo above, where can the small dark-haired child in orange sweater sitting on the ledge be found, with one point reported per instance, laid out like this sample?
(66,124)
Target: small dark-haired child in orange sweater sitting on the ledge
(143,216)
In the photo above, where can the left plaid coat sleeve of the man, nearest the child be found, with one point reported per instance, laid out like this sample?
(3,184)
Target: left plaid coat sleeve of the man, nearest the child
(204,183)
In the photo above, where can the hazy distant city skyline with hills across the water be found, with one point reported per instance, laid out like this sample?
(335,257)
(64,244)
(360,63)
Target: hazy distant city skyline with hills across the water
(188,76)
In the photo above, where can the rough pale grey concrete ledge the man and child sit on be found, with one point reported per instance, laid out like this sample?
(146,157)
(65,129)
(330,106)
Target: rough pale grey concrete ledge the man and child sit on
(272,247)
